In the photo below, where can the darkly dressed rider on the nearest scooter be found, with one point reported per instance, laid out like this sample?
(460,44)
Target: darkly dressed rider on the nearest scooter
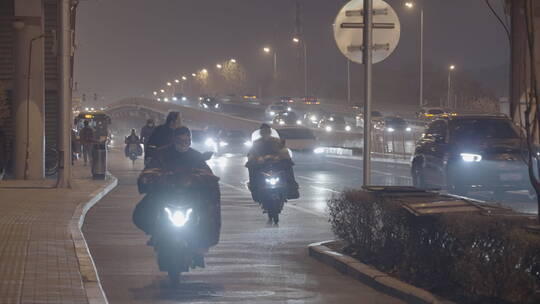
(180,157)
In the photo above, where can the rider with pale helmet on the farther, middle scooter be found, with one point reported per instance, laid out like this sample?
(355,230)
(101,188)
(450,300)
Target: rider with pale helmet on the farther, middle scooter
(269,148)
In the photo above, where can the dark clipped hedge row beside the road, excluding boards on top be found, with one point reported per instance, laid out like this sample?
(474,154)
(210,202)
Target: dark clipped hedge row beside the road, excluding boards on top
(469,258)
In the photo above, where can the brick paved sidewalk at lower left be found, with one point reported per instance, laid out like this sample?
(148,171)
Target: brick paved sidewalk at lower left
(42,250)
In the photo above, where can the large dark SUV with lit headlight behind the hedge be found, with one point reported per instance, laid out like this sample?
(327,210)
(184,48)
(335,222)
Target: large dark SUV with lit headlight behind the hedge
(462,153)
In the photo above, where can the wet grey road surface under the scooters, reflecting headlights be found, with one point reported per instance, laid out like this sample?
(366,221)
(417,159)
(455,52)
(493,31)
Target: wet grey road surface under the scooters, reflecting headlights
(253,263)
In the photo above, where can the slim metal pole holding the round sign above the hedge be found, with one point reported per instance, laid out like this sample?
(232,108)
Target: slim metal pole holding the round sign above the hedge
(368,65)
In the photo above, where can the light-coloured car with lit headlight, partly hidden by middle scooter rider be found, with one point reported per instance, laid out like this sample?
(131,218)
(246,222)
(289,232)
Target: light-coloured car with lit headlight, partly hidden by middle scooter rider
(303,144)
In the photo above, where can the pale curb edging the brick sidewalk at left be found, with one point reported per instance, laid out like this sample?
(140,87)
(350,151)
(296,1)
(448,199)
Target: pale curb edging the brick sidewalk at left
(89,275)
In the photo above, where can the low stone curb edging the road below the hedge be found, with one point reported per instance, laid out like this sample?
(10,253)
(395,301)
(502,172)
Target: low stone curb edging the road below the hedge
(371,276)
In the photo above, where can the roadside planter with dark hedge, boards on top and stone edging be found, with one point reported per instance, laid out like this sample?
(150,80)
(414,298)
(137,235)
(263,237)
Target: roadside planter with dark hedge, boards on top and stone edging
(459,249)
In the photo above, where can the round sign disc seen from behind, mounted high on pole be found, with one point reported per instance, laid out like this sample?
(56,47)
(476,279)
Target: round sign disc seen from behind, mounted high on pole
(349,25)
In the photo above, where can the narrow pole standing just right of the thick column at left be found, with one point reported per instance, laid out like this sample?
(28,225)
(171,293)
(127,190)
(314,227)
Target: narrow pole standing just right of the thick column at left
(64,108)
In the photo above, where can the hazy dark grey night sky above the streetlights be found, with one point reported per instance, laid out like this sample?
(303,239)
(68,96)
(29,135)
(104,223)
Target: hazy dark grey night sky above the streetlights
(131,47)
